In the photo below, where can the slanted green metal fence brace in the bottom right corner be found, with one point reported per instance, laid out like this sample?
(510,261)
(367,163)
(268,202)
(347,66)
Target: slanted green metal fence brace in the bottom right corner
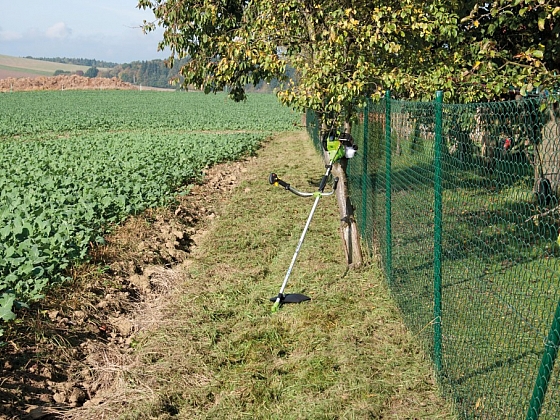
(545,370)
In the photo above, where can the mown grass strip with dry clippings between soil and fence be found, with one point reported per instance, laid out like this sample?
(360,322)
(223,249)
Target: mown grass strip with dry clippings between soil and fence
(220,352)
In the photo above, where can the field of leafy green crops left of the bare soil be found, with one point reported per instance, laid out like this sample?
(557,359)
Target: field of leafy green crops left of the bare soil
(74,164)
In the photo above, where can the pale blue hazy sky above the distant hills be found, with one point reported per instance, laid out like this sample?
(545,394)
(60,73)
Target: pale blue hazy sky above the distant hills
(107,30)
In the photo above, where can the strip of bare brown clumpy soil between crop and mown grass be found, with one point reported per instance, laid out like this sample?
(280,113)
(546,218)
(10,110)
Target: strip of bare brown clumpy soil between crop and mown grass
(80,340)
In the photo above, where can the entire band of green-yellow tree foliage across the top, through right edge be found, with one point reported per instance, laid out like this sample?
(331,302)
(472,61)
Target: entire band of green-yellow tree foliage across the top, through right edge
(343,50)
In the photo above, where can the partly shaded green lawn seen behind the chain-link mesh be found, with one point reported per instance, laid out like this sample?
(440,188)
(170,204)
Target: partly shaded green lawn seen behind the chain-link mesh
(499,265)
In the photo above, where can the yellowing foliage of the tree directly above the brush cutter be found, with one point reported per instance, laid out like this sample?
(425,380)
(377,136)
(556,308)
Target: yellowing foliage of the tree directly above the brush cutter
(341,50)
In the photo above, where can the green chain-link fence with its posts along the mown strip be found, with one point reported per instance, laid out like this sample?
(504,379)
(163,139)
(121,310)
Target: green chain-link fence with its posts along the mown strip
(458,202)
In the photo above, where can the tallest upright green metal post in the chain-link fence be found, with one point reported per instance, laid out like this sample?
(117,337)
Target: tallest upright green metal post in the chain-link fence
(437,229)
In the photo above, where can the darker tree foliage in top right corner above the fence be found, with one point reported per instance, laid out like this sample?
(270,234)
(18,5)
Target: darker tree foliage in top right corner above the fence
(508,44)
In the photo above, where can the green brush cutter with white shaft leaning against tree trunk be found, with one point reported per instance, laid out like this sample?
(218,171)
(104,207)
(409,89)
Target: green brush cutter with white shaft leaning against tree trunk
(337,147)
